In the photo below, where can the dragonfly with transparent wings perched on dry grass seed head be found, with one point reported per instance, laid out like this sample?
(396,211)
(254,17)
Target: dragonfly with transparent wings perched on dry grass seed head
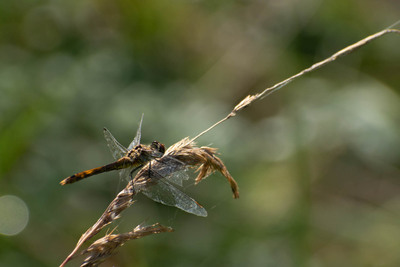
(136,156)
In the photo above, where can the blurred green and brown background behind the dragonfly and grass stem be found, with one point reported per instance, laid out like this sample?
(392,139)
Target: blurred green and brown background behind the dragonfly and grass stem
(317,162)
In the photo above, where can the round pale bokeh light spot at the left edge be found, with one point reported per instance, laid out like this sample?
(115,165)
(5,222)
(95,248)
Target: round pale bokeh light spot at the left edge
(14,215)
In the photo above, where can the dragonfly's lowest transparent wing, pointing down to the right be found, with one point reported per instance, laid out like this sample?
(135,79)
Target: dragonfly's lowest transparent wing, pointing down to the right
(166,194)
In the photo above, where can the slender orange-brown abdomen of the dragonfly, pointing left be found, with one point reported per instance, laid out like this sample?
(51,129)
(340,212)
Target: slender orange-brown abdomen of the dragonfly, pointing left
(122,163)
